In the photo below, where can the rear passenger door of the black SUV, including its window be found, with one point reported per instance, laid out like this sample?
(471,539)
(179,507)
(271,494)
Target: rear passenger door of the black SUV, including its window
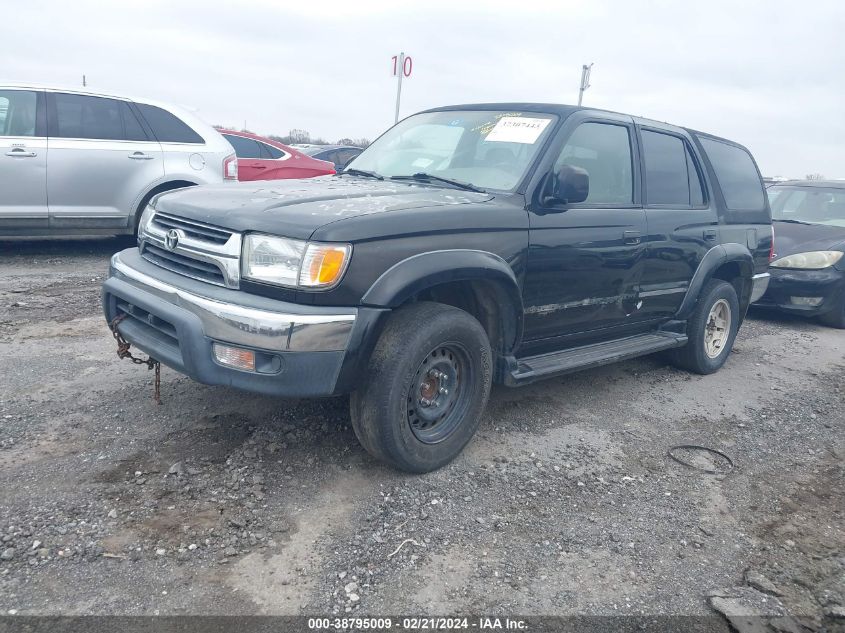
(682,221)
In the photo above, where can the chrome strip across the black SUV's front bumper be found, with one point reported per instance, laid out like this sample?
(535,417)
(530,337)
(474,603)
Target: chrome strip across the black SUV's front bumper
(275,326)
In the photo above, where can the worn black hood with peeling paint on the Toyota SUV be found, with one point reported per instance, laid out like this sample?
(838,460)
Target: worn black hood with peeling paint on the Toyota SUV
(296,208)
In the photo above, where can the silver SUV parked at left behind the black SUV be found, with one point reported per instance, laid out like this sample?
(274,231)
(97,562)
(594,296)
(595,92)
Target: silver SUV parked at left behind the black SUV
(75,162)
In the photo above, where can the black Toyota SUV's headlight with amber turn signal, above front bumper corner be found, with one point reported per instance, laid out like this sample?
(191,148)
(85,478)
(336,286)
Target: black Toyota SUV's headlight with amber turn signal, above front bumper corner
(293,263)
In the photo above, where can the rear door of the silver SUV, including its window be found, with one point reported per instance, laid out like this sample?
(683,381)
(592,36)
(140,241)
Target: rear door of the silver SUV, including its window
(100,162)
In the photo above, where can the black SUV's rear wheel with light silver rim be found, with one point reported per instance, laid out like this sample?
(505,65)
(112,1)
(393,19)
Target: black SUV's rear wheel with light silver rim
(697,355)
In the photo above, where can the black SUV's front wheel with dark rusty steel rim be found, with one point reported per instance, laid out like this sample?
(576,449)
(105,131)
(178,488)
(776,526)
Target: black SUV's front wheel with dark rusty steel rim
(428,353)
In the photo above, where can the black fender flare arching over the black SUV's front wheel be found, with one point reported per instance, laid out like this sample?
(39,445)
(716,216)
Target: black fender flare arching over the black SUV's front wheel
(411,276)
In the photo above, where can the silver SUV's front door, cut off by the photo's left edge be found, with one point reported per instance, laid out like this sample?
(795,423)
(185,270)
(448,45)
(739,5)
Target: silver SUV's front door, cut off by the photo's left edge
(23,160)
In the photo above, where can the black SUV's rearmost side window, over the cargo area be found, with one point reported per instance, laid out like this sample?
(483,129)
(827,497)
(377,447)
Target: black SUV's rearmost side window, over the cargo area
(737,175)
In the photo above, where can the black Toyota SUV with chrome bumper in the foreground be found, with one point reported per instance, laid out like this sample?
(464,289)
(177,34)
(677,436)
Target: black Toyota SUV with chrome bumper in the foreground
(468,245)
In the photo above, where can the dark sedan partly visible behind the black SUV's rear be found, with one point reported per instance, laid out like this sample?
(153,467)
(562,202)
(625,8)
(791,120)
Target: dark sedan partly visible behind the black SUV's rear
(808,269)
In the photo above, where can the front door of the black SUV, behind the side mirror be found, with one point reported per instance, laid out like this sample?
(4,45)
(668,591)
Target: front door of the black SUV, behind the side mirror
(585,259)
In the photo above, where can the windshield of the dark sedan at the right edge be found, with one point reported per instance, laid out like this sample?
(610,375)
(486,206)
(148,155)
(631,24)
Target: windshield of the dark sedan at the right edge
(813,205)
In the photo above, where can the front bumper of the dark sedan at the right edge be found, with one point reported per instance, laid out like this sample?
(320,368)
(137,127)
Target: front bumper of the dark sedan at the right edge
(790,290)
